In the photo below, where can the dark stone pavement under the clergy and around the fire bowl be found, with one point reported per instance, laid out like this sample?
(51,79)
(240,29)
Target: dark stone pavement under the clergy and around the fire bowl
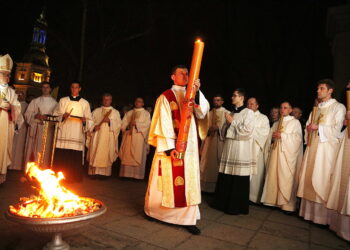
(125,227)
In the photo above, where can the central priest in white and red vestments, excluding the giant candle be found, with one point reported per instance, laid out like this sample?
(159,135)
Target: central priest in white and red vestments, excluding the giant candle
(161,199)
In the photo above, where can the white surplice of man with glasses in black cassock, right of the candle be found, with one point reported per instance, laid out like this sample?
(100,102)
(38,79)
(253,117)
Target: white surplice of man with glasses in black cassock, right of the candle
(238,156)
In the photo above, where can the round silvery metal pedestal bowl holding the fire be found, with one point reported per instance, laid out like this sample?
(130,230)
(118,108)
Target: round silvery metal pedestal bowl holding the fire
(56,226)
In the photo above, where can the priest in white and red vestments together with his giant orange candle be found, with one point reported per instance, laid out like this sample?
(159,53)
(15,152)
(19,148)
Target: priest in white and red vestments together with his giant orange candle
(174,191)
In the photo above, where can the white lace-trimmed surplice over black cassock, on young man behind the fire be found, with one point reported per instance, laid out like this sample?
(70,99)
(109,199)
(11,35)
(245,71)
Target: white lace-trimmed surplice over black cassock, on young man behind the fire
(71,132)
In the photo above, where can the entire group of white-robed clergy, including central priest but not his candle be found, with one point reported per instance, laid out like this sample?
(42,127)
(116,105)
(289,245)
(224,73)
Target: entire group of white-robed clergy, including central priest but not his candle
(244,157)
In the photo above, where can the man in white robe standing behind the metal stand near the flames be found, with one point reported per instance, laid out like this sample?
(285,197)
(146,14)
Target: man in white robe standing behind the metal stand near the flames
(38,111)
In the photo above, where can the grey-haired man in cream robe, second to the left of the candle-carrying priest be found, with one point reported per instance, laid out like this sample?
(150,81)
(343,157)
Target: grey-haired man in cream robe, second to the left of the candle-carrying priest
(103,146)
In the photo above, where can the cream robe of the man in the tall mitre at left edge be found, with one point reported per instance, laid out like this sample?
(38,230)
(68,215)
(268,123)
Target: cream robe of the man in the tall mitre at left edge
(7,127)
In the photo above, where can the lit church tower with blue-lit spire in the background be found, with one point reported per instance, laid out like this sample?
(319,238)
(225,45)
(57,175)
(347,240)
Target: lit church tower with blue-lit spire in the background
(34,69)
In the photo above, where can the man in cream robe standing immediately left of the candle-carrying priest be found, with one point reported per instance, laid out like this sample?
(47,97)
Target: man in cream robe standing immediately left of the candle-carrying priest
(134,147)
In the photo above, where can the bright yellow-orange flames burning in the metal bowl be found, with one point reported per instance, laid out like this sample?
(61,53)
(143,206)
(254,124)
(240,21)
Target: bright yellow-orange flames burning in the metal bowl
(53,200)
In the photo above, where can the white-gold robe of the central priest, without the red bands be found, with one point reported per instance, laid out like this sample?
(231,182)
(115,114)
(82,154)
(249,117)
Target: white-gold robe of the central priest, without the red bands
(163,137)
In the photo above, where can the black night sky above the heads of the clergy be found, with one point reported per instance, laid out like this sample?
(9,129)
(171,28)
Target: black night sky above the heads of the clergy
(276,50)
